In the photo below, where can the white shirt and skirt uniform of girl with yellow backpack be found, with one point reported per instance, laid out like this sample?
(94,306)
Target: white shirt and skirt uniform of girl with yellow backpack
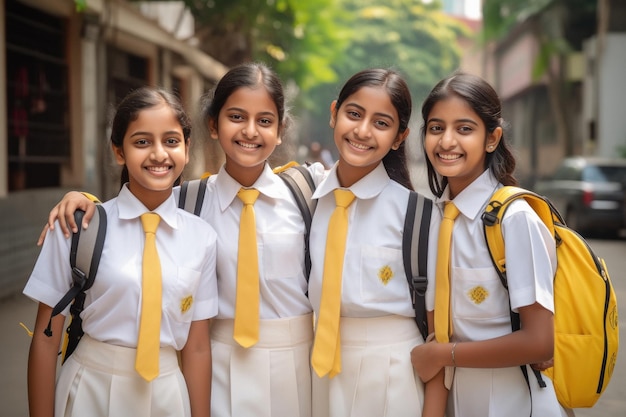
(480,308)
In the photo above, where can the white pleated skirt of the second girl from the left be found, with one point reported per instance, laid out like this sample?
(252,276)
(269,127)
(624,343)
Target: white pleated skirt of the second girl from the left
(271,378)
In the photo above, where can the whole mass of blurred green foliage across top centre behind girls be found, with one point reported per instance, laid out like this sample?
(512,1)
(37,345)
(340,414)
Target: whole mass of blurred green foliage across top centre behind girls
(316,45)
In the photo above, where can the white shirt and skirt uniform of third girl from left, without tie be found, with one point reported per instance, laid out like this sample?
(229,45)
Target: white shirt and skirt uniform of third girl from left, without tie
(377,327)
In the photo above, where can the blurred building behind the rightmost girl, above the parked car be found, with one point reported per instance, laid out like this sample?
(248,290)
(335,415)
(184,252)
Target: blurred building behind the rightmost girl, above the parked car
(591,105)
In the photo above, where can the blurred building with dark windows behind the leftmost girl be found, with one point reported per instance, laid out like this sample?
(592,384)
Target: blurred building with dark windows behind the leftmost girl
(63,72)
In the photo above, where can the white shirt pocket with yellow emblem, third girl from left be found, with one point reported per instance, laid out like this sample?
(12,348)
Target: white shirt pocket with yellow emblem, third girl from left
(382,275)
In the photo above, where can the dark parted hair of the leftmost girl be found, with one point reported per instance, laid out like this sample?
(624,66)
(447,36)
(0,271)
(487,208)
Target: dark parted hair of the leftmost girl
(141,99)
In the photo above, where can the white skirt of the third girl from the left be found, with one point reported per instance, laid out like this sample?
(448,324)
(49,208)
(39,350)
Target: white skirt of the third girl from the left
(377,378)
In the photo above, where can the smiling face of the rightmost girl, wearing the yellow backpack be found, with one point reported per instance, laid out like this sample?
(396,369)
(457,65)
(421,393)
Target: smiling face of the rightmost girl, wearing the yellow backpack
(456,142)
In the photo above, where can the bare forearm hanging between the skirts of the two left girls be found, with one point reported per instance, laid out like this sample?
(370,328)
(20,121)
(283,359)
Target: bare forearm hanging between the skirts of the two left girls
(196,368)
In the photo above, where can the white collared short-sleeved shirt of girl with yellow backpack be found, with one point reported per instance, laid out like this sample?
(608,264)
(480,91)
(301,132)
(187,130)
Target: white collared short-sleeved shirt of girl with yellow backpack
(479,302)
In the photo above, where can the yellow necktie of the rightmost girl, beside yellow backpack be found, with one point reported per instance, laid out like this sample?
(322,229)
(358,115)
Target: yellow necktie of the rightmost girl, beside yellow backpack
(442,286)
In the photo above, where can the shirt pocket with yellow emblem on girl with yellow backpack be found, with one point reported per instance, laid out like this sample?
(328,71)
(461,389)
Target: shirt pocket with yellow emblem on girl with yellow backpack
(479,294)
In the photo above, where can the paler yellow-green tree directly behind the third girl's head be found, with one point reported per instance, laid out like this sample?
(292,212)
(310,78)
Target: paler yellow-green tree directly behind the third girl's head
(417,39)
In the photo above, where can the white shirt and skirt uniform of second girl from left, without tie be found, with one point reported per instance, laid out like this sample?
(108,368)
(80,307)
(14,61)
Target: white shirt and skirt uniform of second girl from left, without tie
(273,377)
